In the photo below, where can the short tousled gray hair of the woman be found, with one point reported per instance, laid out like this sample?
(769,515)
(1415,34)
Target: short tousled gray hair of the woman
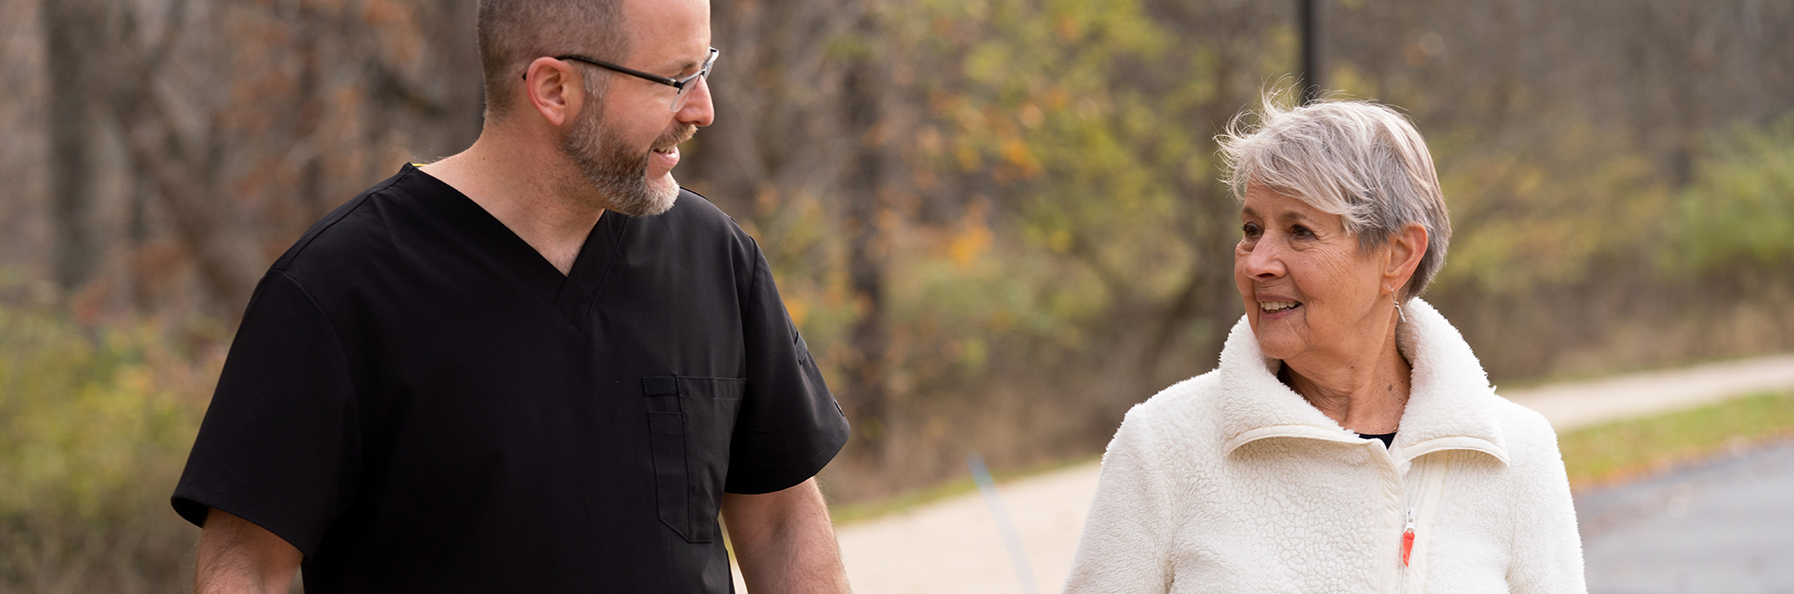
(1354,159)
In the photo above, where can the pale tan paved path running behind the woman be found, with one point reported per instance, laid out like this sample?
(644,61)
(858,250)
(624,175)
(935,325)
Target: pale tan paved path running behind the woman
(954,546)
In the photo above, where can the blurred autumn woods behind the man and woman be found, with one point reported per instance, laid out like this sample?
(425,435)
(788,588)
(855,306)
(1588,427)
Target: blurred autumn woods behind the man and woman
(997,222)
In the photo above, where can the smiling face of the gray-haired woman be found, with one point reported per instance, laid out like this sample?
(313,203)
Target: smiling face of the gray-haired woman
(1309,292)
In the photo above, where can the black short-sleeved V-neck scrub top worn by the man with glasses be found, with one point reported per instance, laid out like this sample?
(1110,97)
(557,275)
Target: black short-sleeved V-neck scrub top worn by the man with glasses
(421,403)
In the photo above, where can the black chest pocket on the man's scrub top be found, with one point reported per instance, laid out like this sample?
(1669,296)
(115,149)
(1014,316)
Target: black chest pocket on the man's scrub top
(690,426)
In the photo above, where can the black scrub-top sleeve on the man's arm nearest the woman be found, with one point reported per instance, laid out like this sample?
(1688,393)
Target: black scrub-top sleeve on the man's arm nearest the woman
(790,424)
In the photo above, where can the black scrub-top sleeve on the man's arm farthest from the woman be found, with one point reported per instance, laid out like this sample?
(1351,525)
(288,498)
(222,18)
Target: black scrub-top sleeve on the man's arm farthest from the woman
(279,444)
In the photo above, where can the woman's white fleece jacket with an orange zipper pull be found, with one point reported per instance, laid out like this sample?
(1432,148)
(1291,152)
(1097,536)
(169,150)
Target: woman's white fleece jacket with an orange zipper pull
(1233,484)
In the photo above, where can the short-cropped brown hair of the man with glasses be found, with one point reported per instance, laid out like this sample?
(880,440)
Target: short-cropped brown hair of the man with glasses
(512,33)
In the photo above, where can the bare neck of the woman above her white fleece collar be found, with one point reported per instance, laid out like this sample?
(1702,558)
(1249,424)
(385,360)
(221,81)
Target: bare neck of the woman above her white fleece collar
(1366,396)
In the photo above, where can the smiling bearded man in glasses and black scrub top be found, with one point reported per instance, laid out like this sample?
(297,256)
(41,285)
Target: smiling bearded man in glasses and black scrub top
(532,367)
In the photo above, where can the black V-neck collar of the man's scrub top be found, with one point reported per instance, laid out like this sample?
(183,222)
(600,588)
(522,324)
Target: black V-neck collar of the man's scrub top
(570,295)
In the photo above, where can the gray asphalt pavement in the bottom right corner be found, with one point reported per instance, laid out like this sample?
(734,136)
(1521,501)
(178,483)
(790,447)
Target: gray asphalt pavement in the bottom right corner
(1720,527)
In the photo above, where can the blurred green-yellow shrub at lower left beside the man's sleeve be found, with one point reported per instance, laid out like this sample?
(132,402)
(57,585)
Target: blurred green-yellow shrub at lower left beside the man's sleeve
(94,428)
